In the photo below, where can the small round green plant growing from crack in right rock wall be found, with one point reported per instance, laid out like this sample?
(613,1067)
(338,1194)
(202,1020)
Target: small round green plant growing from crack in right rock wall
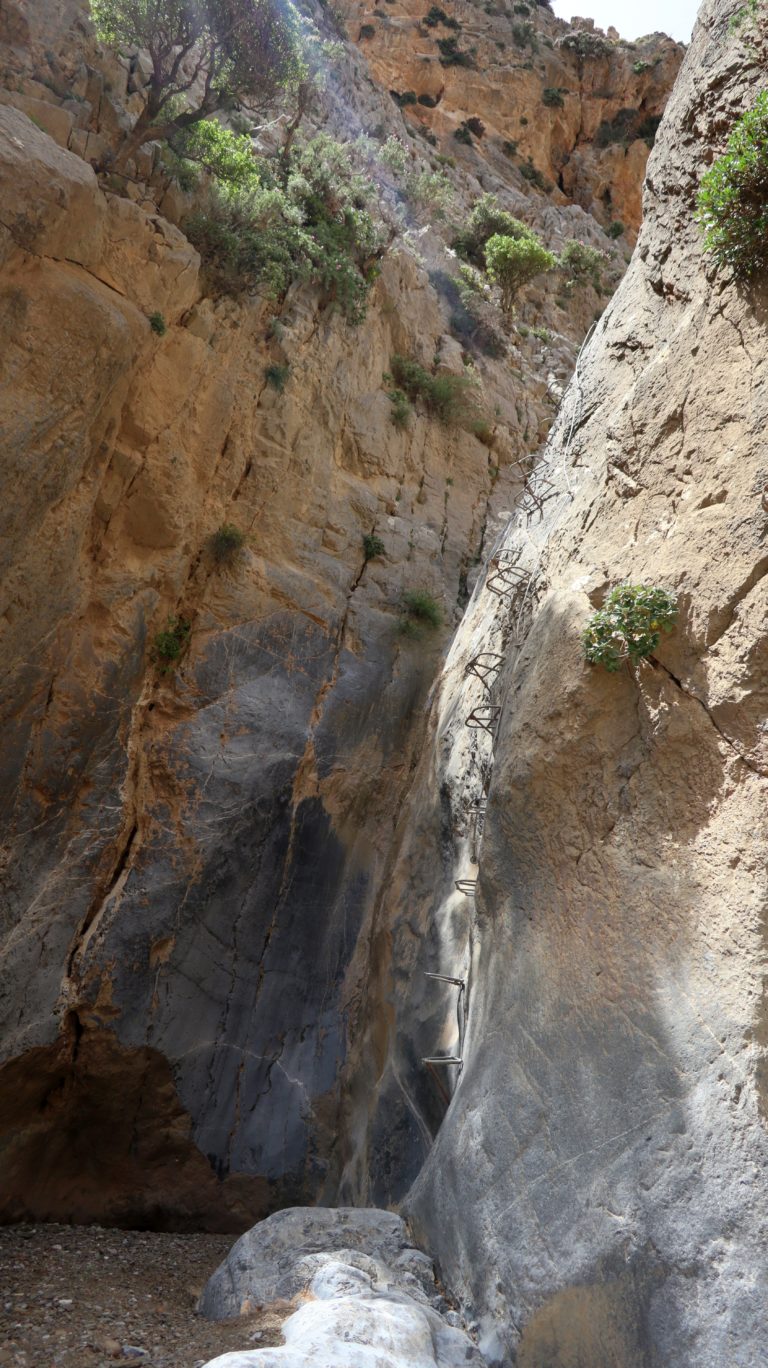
(629,626)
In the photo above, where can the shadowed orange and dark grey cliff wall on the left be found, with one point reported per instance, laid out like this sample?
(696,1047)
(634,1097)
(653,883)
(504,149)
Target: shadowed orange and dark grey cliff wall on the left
(194,861)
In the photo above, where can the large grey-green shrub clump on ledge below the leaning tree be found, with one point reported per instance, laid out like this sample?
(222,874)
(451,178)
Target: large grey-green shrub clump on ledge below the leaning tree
(318,228)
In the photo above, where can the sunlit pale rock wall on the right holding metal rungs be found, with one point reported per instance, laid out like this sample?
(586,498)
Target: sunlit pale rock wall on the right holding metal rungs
(599,1187)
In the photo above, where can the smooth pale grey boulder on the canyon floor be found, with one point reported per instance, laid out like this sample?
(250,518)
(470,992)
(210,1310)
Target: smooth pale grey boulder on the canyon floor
(369,1296)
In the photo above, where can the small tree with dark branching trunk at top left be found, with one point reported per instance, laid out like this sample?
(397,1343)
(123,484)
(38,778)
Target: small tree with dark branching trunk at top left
(206,55)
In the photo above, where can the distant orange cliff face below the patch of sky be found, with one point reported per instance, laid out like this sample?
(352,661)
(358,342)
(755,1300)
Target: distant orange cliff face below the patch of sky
(573,105)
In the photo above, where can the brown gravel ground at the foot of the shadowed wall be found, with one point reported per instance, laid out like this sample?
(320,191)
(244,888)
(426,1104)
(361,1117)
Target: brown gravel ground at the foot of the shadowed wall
(86,1298)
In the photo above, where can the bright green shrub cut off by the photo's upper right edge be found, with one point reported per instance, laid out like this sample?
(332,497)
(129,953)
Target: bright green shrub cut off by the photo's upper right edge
(733,198)
